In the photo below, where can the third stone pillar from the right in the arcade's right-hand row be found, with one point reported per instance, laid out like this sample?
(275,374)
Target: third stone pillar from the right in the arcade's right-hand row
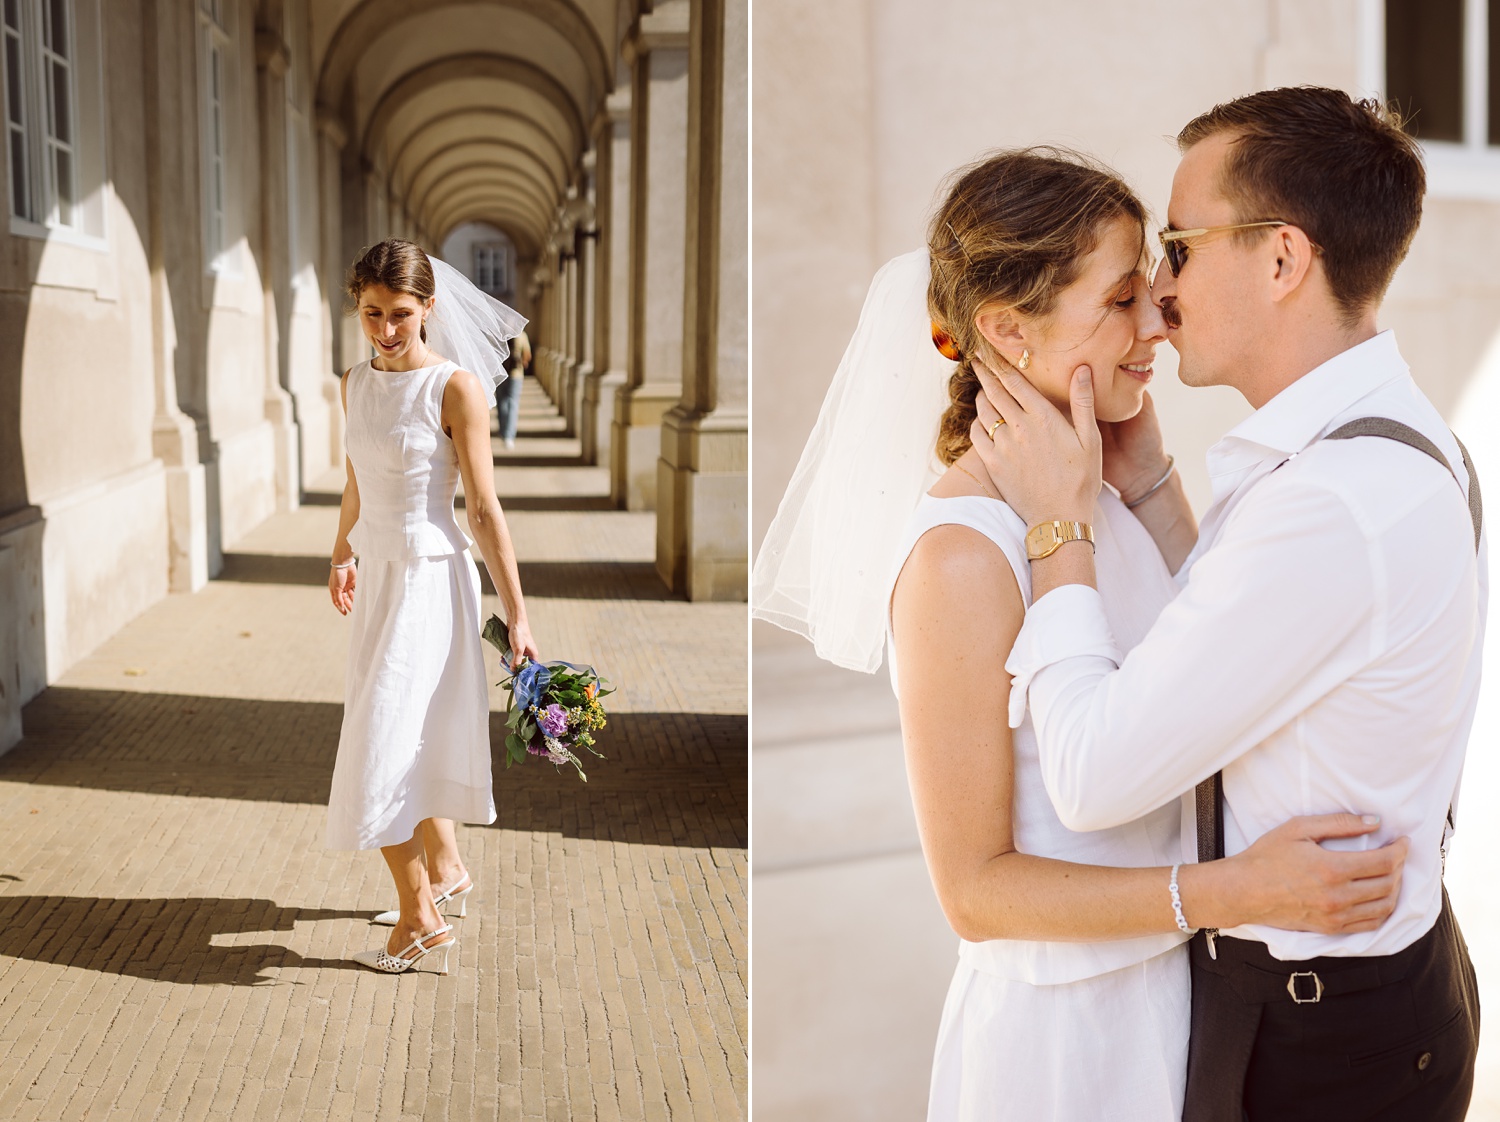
(613,277)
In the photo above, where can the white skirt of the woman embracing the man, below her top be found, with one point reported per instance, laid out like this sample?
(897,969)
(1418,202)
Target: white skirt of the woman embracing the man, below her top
(1108,1048)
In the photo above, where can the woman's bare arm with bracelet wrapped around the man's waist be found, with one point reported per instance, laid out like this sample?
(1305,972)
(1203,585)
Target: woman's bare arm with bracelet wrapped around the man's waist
(956,613)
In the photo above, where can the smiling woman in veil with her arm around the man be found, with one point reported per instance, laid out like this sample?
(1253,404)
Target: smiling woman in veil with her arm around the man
(1070,1000)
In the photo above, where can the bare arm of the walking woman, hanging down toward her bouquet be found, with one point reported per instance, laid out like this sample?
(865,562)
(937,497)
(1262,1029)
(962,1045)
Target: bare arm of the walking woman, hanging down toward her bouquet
(466,419)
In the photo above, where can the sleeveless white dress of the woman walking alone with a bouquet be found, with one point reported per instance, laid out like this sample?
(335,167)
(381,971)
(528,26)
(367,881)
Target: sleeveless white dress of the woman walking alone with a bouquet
(416,707)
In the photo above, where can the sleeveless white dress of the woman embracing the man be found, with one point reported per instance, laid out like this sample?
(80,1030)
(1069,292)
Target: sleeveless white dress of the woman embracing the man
(1055,1031)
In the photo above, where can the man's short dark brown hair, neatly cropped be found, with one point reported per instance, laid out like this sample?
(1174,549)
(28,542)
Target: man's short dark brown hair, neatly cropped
(1345,172)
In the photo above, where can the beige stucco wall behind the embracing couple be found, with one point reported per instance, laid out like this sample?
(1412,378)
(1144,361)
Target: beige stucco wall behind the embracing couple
(860,109)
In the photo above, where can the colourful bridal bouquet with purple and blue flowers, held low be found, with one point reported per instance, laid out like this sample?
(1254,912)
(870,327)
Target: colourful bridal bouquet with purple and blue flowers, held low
(554,707)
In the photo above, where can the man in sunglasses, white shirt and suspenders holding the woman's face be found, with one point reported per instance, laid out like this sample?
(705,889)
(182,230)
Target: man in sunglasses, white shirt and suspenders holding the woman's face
(1324,650)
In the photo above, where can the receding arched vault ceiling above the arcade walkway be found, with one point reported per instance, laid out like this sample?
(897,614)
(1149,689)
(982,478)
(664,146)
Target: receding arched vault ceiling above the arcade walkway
(473,110)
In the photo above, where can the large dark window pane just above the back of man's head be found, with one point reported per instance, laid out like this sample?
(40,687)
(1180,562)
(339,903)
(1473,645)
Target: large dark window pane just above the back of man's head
(1426,65)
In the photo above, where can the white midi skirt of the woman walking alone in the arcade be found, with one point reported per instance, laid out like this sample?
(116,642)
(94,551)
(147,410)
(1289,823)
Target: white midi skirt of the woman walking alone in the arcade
(416,706)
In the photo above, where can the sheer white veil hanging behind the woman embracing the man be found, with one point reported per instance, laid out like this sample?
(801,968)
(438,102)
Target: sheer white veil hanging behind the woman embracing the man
(829,560)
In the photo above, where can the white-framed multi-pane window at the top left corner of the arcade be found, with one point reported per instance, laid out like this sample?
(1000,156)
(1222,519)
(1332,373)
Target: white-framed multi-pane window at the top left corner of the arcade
(41,85)
